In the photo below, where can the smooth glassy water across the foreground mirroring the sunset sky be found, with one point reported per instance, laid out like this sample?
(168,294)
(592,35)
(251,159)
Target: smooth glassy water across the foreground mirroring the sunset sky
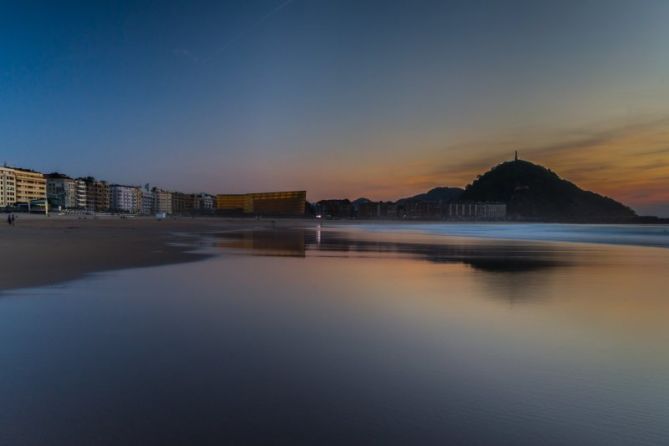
(356,335)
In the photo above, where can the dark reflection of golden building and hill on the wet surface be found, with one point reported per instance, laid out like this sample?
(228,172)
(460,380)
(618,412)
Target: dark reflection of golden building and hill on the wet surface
(483,255)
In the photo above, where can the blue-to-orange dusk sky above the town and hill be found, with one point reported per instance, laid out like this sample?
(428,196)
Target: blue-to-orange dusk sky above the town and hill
(343,98)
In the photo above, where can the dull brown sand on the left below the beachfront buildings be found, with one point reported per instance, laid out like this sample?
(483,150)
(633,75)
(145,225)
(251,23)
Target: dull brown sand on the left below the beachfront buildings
(41,250)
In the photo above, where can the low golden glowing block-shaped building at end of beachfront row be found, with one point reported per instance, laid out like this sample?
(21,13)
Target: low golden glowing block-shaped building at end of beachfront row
(289,203)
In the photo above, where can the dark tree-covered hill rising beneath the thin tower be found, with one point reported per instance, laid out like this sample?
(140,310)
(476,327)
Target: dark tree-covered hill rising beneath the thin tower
(533,192)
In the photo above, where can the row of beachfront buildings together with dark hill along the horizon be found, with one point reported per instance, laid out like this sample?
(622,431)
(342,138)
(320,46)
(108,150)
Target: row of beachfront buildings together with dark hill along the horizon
(530,191)
